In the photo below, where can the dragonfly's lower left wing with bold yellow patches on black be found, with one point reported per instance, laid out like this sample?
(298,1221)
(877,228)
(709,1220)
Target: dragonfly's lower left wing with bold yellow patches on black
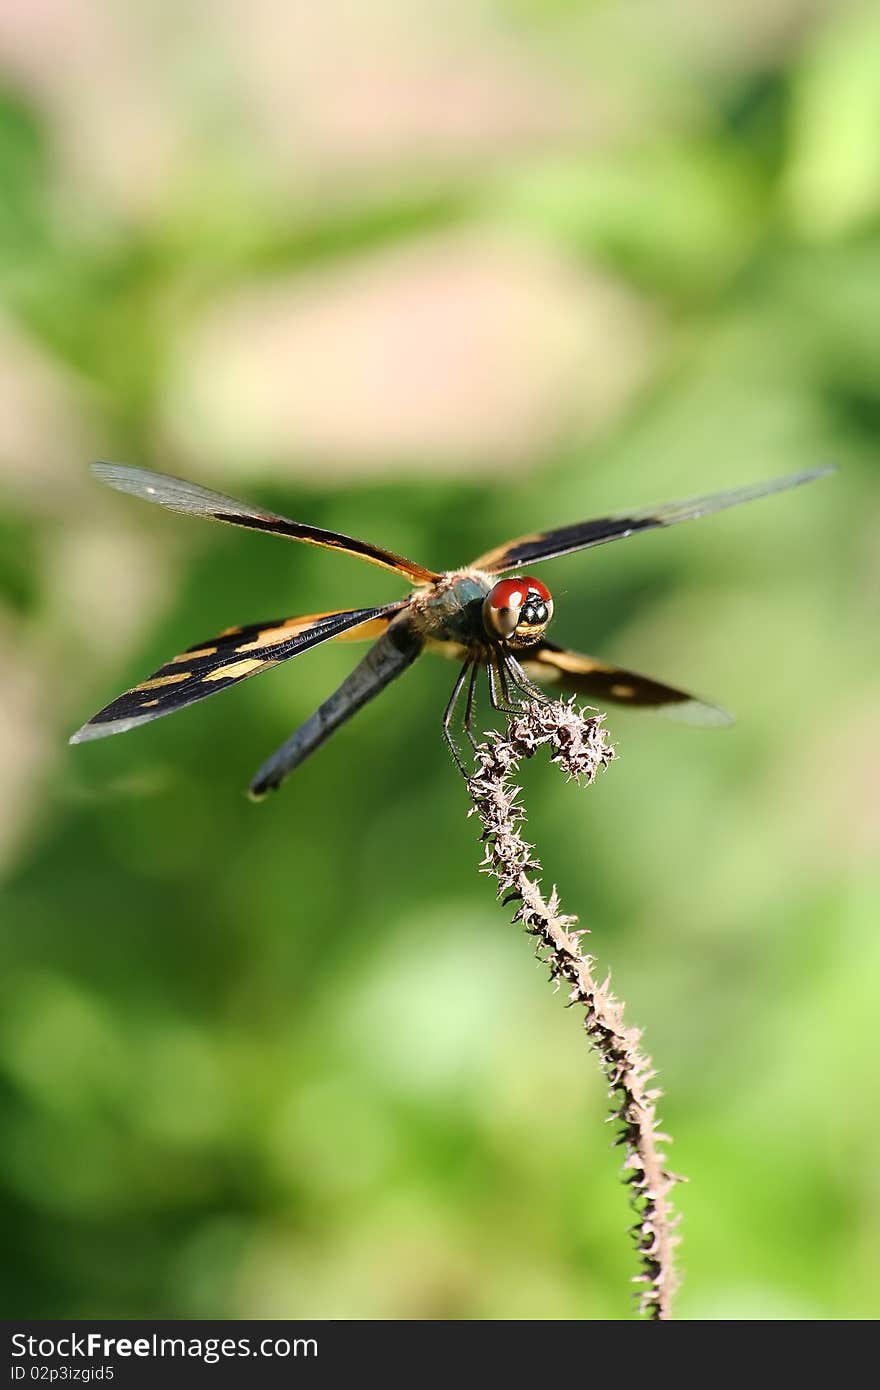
(226,661)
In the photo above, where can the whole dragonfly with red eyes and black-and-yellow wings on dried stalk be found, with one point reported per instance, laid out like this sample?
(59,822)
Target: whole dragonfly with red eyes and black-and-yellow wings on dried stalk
(490,616)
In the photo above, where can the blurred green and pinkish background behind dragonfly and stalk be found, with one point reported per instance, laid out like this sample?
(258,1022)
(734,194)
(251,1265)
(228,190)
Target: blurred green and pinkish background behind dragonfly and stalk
(436,277)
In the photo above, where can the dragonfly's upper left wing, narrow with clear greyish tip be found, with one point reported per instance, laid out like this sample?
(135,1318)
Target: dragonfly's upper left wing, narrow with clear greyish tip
(194,501)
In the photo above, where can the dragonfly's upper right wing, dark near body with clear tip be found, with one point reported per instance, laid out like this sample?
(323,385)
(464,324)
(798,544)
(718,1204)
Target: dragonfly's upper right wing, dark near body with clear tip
(547,546)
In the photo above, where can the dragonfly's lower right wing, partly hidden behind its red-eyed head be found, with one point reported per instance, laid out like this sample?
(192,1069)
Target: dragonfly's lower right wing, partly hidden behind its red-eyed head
(603,682)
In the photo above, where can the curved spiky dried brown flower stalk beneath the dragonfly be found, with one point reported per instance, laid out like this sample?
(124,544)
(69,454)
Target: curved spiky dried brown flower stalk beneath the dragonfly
(579,744)
